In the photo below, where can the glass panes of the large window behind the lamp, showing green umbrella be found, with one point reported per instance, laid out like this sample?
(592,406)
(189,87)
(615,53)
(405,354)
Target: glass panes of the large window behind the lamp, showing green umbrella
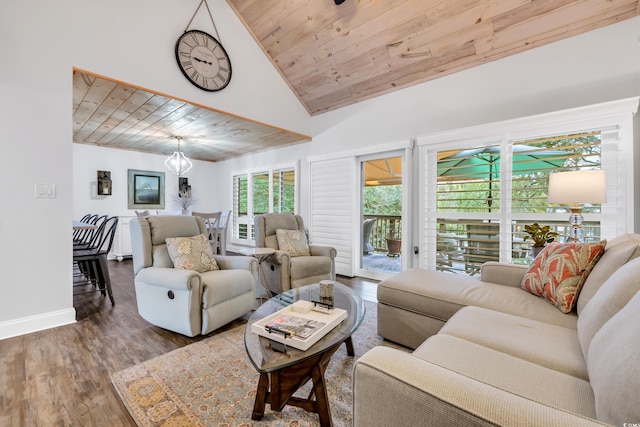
(469,181)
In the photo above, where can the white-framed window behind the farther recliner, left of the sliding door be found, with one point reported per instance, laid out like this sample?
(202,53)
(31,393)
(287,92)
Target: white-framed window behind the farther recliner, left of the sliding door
(260,192)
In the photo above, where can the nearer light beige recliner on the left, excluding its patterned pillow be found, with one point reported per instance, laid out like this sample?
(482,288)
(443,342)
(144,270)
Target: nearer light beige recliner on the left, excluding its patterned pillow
(186,301)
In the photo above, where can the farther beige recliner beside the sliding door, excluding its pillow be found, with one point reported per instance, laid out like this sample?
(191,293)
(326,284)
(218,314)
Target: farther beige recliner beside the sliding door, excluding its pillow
(283,271)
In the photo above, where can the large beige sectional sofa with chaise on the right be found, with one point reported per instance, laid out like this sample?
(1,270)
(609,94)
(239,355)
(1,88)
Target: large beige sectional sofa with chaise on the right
(488,353)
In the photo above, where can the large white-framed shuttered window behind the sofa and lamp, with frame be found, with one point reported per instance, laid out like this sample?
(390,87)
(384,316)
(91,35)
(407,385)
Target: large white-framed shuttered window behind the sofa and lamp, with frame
(480,190)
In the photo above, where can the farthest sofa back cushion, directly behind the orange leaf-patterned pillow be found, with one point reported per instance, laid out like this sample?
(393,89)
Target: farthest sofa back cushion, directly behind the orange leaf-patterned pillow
(619,250)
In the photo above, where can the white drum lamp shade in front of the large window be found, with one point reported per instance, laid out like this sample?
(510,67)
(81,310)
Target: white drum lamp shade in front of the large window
(583,186)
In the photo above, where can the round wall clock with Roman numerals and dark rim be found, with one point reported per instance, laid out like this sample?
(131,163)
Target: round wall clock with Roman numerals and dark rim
(203,60)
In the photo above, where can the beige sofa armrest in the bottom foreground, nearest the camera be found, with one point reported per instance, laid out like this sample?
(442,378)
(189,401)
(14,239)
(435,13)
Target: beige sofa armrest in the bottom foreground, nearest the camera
(391,387)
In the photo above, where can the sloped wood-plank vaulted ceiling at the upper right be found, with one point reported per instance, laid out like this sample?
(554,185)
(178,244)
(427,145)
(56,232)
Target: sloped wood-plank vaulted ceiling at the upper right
(336,55)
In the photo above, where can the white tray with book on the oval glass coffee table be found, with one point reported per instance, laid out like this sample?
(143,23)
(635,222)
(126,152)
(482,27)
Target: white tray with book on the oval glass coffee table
(298,330)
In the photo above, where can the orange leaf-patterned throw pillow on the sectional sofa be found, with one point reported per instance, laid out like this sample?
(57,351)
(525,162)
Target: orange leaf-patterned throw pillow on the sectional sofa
(559,271)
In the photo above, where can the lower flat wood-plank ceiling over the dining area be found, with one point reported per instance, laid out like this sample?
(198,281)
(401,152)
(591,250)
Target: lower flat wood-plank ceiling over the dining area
(117,115)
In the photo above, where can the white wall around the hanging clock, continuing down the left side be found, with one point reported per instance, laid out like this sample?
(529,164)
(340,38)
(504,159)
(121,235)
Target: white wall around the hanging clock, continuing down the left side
(132,41)
